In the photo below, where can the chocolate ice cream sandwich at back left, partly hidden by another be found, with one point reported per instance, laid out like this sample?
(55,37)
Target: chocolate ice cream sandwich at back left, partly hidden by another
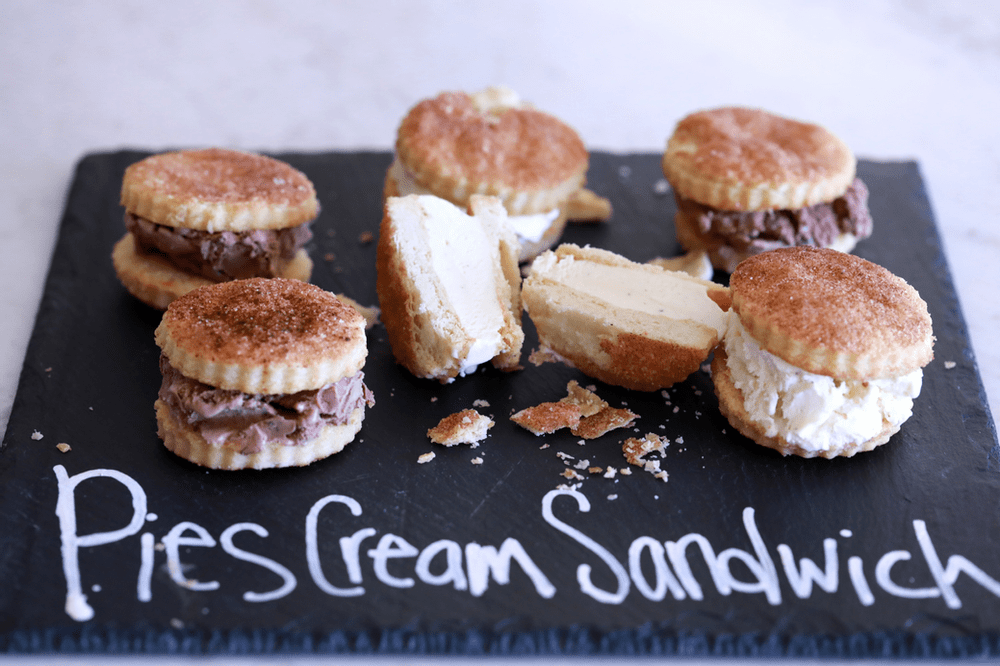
(197,217)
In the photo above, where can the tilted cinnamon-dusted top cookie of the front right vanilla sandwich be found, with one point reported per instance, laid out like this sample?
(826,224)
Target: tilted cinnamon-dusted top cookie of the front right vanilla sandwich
(832,313)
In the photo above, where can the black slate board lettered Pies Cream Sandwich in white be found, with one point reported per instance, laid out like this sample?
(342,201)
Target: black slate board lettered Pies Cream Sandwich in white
(90,378)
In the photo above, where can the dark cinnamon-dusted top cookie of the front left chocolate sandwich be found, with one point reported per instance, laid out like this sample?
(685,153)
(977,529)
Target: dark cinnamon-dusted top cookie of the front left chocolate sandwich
(263,336)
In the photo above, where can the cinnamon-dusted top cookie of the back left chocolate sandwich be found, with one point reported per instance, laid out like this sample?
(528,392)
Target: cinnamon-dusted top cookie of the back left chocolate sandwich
(218,190)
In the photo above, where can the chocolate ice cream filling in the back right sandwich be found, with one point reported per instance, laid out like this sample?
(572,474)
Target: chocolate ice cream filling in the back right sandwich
(757,231)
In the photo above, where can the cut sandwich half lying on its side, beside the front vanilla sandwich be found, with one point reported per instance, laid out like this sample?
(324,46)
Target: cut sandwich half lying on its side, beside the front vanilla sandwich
(628,324)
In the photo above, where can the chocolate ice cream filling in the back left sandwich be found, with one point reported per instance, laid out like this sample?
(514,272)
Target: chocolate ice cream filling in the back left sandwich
(220,256)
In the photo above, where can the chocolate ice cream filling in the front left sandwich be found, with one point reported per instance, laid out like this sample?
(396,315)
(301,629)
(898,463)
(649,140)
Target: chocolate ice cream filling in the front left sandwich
(246,422)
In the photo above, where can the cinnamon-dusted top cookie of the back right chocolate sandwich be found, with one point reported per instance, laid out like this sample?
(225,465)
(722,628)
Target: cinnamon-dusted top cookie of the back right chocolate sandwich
(748,159)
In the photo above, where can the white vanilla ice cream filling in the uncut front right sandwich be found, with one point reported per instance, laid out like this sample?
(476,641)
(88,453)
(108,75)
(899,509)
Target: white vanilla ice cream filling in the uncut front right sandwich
(814,412)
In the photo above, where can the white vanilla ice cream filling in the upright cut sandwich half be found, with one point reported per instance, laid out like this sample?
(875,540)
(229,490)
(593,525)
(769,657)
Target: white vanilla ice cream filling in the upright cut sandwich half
(457,247)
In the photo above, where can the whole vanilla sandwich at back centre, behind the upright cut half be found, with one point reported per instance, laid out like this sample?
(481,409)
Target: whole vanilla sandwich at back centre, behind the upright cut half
(491,142)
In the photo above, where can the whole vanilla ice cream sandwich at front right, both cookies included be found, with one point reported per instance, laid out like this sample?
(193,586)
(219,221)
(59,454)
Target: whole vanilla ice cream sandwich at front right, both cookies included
(823,352)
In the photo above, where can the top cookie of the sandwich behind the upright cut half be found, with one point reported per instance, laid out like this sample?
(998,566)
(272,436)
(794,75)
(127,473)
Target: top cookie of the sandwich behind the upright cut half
(456,145)
